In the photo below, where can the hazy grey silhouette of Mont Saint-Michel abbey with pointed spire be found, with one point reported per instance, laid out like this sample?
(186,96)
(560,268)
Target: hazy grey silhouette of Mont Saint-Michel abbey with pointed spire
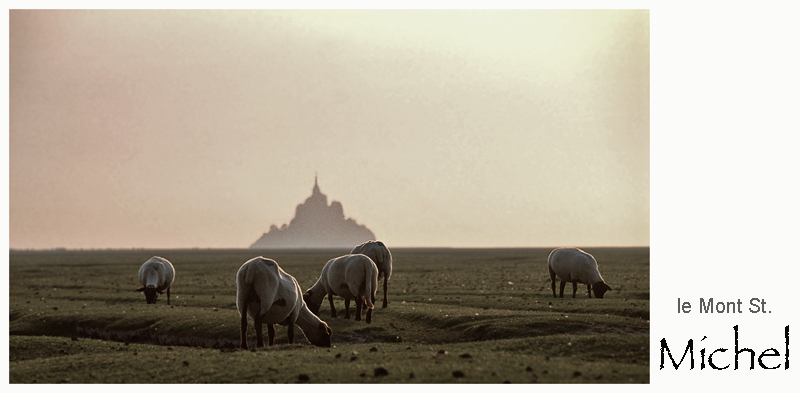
(316,225)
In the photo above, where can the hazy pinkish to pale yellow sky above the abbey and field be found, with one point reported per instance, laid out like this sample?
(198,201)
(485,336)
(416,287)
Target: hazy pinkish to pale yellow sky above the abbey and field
(432,128)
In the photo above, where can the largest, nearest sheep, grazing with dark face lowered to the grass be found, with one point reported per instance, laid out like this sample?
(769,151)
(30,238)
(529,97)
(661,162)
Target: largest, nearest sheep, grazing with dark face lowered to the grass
(273,296)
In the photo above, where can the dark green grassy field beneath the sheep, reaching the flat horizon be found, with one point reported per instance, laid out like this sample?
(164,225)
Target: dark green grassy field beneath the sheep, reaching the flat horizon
(455,316)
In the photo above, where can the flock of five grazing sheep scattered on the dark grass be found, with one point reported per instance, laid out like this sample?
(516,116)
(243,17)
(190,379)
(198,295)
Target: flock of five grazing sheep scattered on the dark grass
(270,295)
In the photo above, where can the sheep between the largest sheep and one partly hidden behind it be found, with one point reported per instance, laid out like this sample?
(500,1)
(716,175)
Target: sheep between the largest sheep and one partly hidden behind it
(352,276)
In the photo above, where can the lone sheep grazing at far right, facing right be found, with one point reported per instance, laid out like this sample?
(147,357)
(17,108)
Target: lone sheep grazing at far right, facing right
(576,266)
